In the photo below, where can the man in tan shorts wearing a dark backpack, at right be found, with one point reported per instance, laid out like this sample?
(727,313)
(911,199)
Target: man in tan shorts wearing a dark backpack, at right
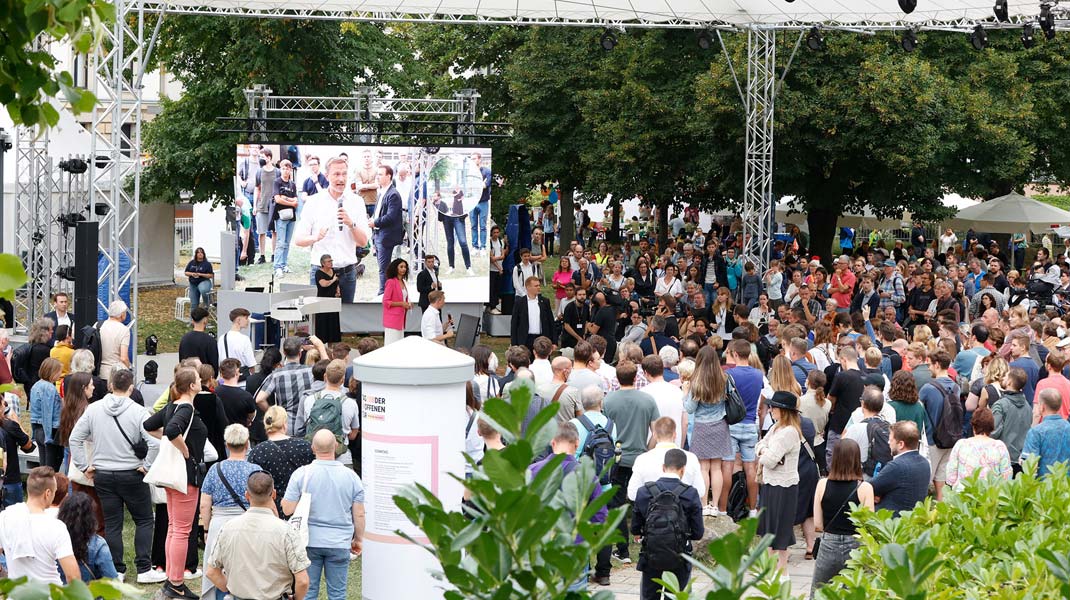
(943,404)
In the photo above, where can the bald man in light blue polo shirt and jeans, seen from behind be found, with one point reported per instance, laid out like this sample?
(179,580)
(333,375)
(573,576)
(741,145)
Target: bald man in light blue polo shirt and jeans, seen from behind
(337,519)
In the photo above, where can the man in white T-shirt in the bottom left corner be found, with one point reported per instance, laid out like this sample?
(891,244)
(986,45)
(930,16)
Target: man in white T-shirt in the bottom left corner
(34,542)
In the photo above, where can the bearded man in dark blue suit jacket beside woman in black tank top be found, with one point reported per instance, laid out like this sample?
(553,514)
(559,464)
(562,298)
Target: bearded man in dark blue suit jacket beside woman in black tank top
(905,482)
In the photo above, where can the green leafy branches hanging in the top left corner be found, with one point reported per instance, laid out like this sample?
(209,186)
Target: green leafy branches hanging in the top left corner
(29,78)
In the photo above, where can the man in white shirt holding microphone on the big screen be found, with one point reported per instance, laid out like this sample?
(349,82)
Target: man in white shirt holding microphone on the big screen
(335,223)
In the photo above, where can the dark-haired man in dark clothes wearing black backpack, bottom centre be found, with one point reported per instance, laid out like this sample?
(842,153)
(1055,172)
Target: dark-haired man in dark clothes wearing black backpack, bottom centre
(667,517)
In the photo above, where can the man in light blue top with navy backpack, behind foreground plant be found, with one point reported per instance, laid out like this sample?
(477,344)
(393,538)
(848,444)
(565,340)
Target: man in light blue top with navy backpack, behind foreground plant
(598,439)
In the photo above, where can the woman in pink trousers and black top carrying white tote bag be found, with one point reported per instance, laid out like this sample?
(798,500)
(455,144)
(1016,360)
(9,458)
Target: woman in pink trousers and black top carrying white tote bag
(187,435)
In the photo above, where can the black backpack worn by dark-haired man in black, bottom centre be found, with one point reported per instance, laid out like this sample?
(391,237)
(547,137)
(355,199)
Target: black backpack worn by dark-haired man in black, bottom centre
(667,531)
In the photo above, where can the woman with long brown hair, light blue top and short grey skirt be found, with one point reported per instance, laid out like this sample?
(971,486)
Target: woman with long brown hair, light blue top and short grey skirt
(711,440)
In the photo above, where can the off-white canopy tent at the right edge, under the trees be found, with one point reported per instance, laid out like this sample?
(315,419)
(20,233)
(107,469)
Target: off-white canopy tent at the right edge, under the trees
(1012,214)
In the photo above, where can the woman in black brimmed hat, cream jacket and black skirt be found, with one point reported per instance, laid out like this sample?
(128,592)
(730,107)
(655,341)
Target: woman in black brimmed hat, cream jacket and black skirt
(778,457)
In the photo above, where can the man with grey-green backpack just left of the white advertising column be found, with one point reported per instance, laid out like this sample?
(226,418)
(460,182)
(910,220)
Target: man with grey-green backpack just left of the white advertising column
(332,410)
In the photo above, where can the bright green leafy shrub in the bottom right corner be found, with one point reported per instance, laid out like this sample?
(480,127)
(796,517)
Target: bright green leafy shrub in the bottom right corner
(995,541)
